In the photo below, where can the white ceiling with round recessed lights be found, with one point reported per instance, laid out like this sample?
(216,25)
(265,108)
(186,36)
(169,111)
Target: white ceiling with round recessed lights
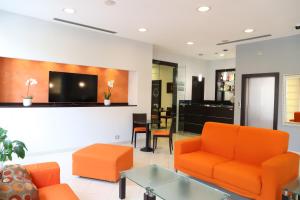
(172,23)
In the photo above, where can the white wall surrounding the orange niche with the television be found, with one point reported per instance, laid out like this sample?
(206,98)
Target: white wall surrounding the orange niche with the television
(52,129)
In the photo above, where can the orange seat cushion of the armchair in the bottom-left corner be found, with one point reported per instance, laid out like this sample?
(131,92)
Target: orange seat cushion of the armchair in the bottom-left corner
(59,191)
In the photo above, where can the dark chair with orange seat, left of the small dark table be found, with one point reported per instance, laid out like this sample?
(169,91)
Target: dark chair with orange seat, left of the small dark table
(139,125)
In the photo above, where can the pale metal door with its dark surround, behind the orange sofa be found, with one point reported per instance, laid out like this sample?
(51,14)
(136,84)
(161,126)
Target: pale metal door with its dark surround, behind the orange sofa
(260,100)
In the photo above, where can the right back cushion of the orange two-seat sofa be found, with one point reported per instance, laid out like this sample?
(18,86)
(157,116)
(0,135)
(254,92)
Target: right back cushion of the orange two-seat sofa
(256,145)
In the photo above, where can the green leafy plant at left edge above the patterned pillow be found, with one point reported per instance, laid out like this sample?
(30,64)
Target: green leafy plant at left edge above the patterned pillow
(9,147)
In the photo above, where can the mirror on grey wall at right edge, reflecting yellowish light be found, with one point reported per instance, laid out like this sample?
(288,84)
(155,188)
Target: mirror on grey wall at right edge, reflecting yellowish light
(292,99)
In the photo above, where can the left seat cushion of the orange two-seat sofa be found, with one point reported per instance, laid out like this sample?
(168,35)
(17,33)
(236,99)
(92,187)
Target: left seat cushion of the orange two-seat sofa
(200,162)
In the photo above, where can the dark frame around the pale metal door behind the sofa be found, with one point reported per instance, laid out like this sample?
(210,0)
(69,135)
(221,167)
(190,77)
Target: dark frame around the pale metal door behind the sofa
(276,95)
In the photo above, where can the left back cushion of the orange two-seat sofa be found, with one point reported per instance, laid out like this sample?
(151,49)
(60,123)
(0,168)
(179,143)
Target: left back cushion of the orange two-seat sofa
(220,139)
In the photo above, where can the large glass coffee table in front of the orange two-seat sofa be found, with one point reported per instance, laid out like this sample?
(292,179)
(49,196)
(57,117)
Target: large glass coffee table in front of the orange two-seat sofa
(168,185)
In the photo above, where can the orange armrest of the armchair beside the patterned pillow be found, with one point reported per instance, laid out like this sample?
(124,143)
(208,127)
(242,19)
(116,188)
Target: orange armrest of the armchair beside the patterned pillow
(44,174)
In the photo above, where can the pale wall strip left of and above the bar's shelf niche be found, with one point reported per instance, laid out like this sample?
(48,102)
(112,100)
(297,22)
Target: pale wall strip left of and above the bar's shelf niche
(211,75)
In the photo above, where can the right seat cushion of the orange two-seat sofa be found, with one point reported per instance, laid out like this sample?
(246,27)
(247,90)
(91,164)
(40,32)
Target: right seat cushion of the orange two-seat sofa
(241,175)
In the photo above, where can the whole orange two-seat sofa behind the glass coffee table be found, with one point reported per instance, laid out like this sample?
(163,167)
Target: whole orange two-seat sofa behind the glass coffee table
(252,162)
